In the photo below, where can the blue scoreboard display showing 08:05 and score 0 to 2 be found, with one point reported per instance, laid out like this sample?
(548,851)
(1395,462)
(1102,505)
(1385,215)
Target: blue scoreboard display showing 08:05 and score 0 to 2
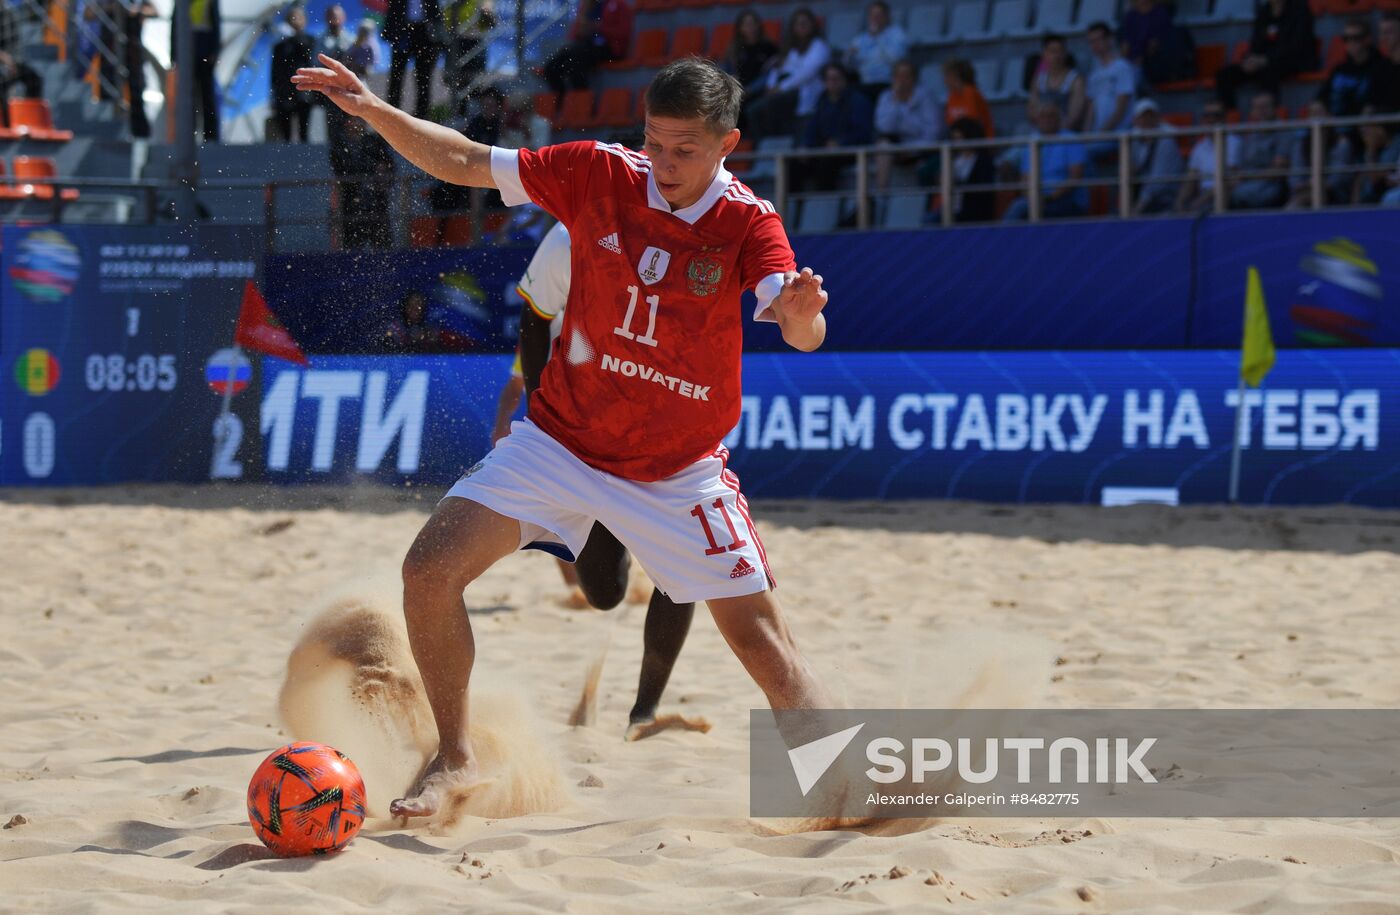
(117,343)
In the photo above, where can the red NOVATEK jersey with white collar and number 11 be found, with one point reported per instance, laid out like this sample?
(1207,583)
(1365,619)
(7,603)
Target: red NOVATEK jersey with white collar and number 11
(645,377)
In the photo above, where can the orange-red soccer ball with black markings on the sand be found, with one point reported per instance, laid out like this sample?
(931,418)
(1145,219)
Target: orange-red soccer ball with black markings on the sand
(306,800)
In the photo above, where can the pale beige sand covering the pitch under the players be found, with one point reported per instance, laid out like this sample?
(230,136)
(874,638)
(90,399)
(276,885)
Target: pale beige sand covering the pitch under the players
(145,636)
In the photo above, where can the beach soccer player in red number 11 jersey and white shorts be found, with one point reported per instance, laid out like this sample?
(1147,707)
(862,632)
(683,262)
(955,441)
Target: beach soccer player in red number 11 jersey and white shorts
(628,423)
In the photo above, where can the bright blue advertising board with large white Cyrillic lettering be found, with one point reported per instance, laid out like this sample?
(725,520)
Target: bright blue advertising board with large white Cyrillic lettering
(1011,427)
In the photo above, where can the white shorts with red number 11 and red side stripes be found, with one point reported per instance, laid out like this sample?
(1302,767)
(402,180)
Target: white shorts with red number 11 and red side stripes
(691,532)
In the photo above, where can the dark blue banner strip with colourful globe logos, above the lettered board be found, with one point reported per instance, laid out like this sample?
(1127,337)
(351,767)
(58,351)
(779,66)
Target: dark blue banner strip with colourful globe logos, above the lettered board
(1331,279)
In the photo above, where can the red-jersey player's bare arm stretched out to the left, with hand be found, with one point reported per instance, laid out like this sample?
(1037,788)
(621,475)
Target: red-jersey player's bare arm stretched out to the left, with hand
(437,150)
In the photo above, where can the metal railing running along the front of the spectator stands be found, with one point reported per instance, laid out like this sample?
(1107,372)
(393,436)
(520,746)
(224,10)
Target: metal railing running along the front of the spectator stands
(290,211)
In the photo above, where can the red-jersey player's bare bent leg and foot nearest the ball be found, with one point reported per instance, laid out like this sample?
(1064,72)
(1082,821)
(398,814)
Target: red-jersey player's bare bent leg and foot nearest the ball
(456,546)
